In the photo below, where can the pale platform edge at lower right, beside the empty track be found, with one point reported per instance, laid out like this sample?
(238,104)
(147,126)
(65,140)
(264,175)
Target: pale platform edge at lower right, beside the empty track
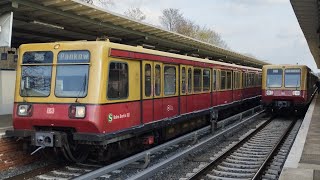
(303,161)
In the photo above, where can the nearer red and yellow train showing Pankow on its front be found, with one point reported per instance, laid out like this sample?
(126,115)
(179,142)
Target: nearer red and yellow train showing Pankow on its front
(102,98)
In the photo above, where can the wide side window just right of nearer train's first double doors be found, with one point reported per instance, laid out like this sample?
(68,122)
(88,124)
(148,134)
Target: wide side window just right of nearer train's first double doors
(169,80)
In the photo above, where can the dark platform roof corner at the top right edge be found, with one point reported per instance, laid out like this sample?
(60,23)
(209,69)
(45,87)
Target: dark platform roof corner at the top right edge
(307,12)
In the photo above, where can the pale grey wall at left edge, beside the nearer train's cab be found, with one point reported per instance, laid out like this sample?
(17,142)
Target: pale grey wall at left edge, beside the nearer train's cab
(7,87)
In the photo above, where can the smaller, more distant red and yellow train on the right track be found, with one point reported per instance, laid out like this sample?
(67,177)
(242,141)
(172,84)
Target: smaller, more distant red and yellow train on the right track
(287,87)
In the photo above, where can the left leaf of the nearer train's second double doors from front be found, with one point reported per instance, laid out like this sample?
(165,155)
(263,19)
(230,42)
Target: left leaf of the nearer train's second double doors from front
(183,89)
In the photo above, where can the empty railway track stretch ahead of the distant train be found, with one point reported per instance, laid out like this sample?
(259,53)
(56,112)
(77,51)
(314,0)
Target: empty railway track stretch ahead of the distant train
(254,156)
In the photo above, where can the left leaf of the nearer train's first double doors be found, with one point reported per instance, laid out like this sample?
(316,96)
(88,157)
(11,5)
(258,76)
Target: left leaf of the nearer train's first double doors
(147,91)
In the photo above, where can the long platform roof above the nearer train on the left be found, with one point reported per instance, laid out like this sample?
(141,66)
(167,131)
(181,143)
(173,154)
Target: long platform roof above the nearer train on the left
(64,20)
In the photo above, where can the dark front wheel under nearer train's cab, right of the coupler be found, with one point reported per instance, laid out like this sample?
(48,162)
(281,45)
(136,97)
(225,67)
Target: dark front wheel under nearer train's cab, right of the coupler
(75,152)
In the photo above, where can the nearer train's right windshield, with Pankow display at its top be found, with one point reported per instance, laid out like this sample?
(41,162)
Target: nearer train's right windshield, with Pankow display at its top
(72,74)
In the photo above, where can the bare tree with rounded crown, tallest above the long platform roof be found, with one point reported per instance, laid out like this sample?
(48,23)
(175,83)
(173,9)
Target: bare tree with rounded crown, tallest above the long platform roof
(171,18)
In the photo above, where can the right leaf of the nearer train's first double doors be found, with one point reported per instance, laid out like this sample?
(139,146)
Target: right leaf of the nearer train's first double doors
(158,92)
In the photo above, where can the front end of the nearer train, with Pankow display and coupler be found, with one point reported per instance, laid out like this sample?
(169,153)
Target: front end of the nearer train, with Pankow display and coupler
(52,98)
